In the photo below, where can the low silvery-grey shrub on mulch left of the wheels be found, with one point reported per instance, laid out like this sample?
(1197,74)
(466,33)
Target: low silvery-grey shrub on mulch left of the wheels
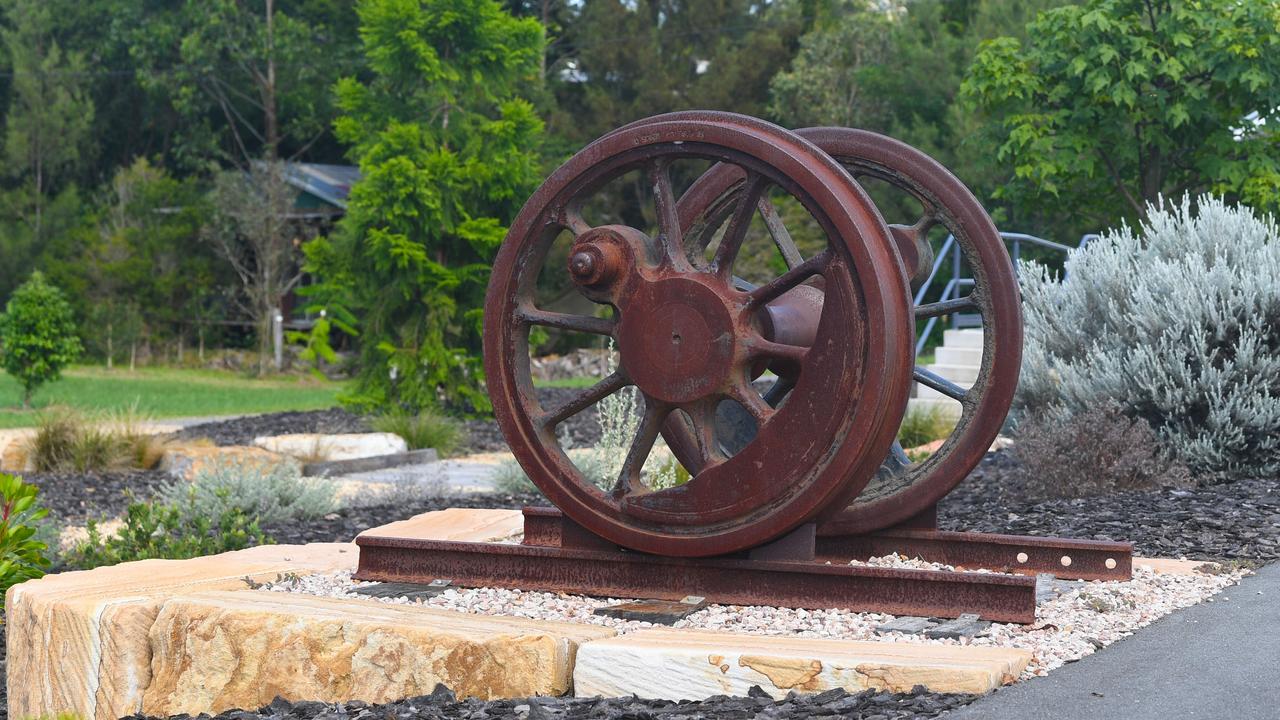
(269,494)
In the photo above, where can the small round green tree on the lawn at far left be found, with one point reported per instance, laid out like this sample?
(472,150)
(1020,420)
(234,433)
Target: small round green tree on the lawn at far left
(38,335)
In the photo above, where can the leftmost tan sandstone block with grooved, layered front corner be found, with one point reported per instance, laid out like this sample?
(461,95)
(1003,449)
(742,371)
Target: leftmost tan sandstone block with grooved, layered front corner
(79,642)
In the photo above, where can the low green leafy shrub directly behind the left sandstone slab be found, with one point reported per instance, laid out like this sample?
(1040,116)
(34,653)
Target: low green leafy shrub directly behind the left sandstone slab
(172,532)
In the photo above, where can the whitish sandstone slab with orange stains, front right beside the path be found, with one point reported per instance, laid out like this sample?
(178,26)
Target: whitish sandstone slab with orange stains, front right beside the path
(693,666)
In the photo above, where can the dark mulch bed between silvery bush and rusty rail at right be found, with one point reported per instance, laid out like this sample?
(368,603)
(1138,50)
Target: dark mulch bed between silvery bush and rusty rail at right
(1232,521)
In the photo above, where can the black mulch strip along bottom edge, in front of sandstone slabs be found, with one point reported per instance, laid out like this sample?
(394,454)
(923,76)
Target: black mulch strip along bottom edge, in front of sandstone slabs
(868,705)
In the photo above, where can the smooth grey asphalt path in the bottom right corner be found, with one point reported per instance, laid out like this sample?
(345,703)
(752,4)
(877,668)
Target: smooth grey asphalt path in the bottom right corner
(1218,660)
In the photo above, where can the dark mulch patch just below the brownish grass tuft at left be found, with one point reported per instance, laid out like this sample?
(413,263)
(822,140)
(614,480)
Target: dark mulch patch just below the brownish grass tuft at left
(75,498)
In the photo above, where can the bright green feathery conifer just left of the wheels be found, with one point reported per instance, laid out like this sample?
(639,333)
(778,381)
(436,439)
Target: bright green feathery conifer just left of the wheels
(449,152)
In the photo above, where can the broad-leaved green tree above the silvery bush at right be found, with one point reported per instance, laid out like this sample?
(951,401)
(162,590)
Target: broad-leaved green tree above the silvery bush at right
(1113,104)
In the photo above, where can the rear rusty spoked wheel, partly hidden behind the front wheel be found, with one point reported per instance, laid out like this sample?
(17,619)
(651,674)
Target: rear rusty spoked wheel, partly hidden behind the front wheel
(902,489)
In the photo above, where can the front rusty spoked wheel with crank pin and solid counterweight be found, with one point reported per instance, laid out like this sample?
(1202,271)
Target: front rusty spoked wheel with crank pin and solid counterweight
(691,340)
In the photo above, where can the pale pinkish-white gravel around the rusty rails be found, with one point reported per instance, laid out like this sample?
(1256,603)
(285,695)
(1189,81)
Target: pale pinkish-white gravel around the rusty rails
(1067,628)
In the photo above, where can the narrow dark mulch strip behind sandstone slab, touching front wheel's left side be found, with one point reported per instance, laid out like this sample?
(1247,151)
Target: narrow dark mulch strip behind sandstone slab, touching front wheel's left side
(348,523)
